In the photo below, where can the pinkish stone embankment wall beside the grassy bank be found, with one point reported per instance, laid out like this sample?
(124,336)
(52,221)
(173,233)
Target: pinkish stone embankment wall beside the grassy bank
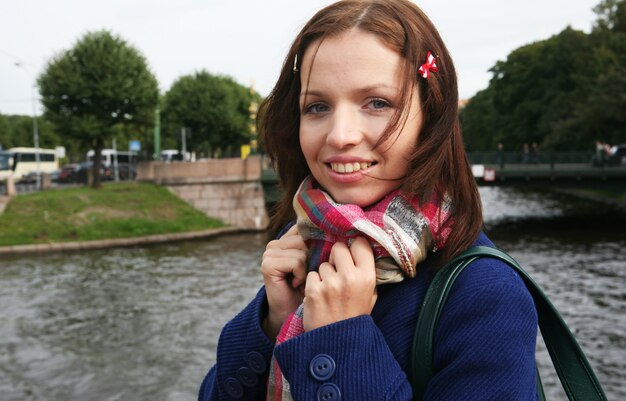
(226,189)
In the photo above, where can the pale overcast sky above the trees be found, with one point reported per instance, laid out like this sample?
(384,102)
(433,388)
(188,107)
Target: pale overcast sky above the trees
(247,39)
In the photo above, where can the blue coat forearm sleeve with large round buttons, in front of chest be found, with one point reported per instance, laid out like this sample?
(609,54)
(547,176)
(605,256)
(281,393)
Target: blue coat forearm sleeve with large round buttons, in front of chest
(349,358)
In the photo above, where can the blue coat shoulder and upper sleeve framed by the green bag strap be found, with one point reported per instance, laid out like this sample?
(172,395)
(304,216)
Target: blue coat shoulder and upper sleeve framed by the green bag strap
(484,345)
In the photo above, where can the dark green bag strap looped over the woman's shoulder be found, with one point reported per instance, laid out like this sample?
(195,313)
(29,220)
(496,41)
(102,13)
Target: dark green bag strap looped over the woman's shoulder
(575,373)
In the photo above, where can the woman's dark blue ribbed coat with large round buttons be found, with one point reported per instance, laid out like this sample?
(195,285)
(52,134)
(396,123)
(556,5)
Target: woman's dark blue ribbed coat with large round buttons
(484,346)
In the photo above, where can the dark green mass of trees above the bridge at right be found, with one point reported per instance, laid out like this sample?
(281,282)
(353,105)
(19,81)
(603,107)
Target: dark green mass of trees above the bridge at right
(563,93)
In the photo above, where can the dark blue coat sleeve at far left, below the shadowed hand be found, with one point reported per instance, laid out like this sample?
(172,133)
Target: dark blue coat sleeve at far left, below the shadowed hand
(243,357)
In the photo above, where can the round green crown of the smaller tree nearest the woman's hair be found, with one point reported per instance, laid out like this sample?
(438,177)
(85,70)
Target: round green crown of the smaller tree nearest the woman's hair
(213,109)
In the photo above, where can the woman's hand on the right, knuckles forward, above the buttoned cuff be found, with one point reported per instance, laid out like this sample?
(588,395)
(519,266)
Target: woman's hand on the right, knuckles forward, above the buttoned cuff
(343,287)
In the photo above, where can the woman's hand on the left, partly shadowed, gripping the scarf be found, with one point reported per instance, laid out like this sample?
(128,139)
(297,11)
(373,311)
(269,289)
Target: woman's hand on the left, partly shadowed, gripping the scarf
(284,273)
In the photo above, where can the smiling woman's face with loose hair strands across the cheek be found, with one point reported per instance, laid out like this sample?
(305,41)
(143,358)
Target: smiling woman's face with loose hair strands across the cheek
(349,95)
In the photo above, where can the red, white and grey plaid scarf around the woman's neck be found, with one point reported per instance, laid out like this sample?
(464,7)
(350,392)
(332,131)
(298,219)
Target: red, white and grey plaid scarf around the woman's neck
(400,231)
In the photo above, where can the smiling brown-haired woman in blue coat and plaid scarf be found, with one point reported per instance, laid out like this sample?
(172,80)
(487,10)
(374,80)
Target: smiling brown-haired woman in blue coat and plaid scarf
(363,130)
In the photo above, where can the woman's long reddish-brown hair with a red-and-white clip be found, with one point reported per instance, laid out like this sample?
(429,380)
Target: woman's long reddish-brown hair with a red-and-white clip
(439,164)
